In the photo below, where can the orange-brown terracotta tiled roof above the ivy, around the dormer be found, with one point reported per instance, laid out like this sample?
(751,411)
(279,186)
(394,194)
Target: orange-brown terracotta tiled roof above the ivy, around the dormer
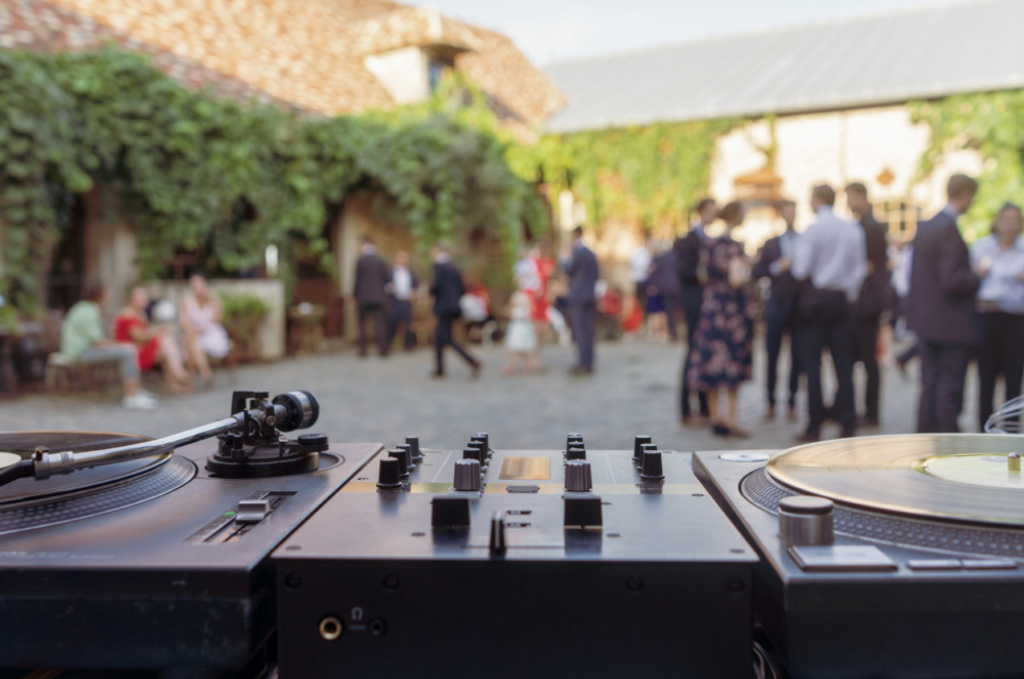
(311,53)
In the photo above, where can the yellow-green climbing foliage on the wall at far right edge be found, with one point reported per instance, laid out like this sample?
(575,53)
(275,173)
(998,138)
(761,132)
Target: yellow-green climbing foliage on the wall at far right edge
(993,124)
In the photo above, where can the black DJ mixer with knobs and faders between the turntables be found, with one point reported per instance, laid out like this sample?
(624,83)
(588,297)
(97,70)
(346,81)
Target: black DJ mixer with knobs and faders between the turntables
(518,564)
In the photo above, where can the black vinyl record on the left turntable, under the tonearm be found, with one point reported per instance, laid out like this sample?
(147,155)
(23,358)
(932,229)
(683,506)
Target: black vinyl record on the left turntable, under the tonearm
(17,446)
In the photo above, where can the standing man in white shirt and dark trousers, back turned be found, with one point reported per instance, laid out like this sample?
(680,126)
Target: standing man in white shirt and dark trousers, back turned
(831,263)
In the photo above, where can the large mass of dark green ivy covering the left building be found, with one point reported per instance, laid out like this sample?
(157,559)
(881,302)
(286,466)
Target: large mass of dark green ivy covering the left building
(200,174)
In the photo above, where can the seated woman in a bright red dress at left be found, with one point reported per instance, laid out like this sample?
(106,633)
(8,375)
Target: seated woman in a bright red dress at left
(154,345)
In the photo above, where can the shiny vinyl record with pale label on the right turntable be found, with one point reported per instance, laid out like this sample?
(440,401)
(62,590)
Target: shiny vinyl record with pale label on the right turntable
(964,478)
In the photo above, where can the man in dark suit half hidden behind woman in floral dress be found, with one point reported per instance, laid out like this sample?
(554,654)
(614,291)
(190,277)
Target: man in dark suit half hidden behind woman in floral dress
(689,251)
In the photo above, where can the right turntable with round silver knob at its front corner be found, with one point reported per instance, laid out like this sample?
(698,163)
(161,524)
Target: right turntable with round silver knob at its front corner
(887,557)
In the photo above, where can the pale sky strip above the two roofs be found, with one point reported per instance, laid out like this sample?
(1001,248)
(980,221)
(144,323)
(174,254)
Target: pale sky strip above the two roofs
(559,30)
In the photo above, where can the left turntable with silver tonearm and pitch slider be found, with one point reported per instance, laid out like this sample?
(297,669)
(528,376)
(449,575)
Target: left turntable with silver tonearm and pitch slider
(121,553)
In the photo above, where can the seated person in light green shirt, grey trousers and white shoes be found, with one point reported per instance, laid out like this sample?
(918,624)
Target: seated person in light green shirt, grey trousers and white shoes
(82,339)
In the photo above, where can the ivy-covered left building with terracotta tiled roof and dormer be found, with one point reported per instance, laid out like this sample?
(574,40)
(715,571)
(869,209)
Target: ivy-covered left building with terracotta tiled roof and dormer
(321,57)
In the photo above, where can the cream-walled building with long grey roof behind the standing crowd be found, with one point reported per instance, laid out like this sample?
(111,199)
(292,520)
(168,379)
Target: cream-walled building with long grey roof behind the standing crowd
(830,99)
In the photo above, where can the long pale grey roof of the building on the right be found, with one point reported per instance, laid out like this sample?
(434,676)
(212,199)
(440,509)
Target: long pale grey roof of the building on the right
(869,61)
